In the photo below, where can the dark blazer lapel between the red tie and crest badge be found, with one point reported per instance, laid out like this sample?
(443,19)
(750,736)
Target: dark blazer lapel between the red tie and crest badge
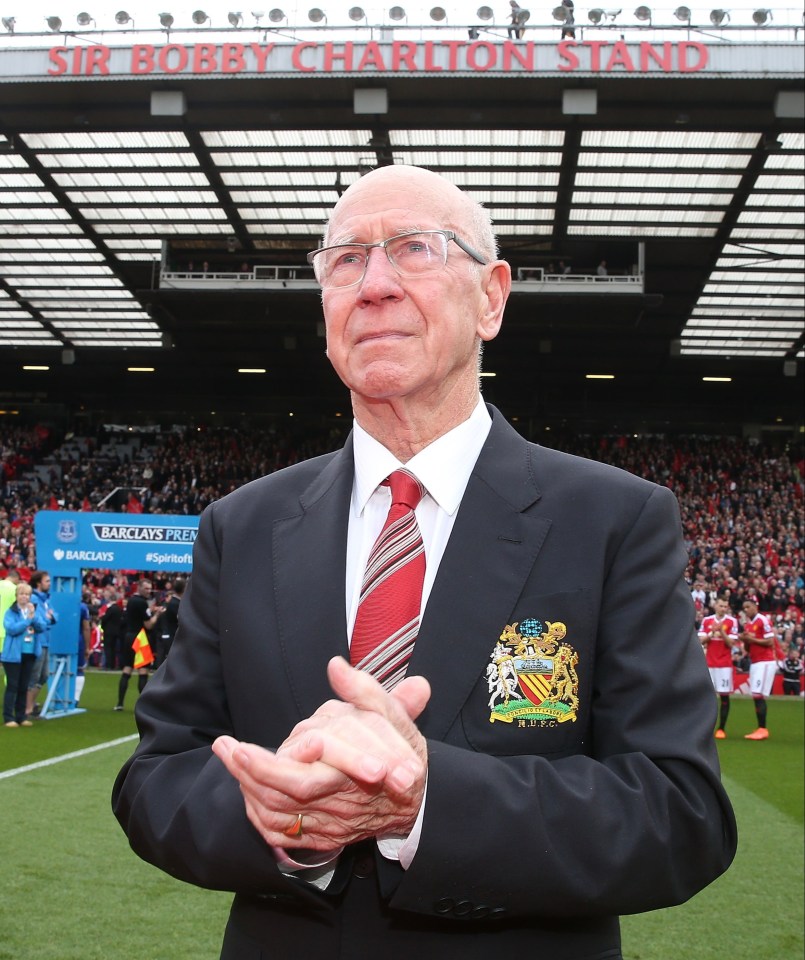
(491,551)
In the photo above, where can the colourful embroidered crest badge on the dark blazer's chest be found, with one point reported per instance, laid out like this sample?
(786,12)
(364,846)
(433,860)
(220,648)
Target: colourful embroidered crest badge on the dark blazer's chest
(532,675)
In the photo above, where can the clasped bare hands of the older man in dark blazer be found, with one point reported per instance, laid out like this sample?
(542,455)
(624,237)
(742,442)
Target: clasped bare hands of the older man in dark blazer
(355,769)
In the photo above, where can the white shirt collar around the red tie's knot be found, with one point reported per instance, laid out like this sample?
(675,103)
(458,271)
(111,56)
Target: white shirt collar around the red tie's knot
(443,467)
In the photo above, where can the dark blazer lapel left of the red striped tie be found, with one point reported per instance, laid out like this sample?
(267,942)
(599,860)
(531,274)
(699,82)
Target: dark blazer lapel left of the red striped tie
(309,551)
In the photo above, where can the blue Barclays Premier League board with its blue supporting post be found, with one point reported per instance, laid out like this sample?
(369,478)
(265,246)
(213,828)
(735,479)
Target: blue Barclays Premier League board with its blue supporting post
(69,543)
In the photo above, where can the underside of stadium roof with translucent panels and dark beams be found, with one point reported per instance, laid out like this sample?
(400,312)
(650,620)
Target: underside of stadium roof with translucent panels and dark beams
(91,201)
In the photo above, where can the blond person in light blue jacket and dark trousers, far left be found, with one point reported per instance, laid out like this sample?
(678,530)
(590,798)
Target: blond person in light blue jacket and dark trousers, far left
(24,625)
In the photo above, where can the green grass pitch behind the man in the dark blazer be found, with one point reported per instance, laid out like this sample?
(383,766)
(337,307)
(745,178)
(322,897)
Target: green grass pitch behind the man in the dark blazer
(81,894)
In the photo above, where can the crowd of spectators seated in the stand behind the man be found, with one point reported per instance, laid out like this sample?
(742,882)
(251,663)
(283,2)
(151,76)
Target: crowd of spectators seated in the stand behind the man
(741,501)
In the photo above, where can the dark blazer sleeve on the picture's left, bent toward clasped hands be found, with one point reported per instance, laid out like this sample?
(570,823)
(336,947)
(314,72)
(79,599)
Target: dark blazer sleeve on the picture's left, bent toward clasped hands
(180,808)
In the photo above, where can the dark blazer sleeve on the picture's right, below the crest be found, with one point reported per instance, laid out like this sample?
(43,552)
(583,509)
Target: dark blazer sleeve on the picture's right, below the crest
(639,822)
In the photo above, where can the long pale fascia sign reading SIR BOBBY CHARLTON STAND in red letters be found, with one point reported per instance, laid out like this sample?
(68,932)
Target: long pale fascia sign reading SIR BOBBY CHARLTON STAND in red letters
(401,57)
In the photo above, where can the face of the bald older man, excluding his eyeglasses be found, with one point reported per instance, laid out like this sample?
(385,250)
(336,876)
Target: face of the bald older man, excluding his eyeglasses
(390,337)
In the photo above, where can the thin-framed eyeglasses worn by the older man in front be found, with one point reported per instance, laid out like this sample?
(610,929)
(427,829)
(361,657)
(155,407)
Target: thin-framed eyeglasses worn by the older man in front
(411,255)
